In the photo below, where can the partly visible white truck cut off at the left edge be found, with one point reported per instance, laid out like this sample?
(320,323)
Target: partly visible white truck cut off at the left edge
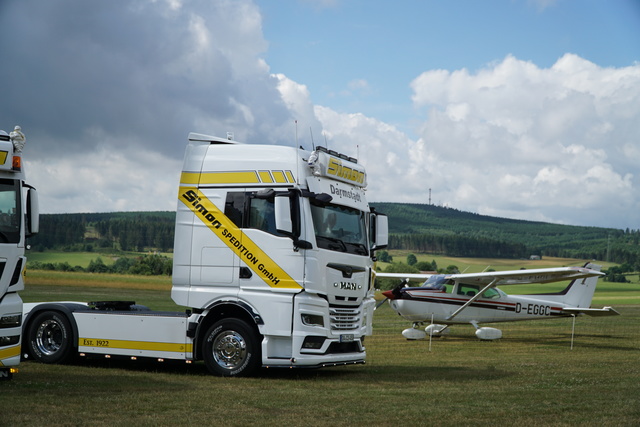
(18,220)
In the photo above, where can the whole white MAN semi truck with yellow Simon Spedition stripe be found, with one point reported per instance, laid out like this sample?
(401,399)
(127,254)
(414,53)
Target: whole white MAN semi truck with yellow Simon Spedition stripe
(273,262)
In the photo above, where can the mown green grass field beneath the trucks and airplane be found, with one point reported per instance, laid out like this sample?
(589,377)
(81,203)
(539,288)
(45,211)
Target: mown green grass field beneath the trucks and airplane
(532,376)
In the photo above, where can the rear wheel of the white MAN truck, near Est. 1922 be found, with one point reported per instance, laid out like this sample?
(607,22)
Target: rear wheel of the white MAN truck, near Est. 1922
(50,338)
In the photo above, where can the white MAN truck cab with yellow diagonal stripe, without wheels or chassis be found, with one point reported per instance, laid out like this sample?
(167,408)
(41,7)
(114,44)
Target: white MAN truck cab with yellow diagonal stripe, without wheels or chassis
(285,236)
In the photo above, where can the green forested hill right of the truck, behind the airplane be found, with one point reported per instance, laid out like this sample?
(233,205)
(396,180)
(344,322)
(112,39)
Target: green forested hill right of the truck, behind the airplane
(435,229)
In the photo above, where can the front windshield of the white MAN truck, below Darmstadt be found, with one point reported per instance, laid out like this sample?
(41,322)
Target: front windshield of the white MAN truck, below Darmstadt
(340,228)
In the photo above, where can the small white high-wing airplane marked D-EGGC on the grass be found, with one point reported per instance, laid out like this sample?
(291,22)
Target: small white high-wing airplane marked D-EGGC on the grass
(444,300)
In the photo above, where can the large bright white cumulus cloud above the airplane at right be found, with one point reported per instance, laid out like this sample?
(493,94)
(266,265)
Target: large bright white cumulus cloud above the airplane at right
(552,142)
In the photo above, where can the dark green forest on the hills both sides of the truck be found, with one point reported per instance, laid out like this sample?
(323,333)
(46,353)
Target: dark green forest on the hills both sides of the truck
(414,227)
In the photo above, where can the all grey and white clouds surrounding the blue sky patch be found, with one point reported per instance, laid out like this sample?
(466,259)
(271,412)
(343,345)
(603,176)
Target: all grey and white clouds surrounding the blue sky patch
(107,122)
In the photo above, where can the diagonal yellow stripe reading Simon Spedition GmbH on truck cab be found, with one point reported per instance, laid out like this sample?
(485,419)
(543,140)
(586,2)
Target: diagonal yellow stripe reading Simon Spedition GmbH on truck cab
(250,253)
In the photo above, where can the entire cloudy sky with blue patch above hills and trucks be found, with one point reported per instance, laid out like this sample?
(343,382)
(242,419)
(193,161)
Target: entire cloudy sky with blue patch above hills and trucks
(524,109)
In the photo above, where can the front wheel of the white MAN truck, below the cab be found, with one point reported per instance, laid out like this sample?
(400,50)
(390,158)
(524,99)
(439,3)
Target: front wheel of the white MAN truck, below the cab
(231,348)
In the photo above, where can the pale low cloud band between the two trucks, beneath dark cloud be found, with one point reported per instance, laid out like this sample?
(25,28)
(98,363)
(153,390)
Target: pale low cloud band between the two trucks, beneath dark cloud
(106,180)
